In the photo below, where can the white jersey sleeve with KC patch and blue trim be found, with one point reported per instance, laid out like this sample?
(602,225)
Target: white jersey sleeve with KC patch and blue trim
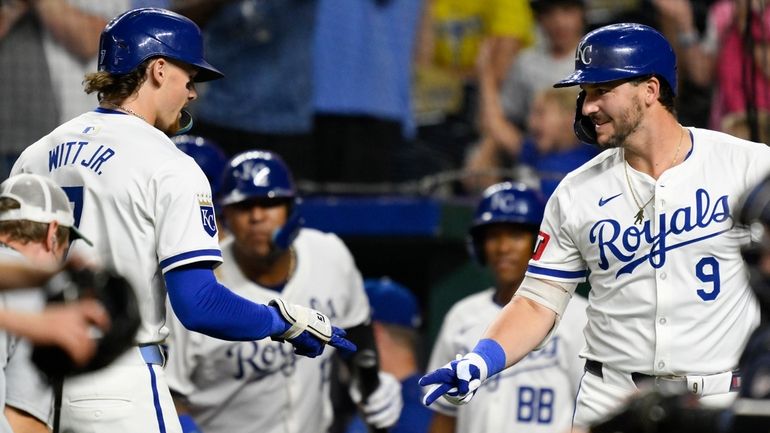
(185,227)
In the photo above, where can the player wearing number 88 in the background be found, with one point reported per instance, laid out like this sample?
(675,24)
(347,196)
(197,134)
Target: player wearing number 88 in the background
(538,393)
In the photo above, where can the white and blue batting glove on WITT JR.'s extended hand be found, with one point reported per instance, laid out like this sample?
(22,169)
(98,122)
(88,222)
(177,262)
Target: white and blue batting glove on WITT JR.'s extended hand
(309,330)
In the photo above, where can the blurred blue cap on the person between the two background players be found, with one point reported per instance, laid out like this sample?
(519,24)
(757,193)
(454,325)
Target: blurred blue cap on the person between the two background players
(392,303)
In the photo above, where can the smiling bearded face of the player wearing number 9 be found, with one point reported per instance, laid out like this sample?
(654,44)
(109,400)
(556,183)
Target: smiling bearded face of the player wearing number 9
(617,110)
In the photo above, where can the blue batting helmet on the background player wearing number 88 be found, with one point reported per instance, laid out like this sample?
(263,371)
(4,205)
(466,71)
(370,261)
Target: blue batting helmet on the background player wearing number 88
(509,203)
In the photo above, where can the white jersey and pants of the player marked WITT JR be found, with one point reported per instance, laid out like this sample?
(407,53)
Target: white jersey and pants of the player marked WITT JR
(147,208)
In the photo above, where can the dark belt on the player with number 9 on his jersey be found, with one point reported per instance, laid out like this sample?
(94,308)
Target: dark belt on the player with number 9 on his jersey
(672,384)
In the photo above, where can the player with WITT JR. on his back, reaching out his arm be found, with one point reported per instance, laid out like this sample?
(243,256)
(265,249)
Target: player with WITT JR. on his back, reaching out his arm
(147,207)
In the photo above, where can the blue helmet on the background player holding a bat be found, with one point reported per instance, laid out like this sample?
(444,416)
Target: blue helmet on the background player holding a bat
(262,174)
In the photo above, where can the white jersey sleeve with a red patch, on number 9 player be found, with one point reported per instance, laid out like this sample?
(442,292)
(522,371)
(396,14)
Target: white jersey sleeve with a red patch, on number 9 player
(556,256)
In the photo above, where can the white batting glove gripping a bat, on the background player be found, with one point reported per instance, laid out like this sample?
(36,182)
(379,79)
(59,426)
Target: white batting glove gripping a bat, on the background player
(383,407)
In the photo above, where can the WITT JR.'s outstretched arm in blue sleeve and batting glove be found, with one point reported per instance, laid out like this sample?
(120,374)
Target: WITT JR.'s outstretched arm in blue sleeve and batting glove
(203,305)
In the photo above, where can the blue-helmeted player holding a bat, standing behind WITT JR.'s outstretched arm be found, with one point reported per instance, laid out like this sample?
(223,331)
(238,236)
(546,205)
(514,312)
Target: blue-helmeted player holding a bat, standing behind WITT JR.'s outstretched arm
(220,383)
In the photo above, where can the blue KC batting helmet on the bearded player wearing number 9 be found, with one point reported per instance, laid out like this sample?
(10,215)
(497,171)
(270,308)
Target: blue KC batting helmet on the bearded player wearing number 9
(619,51)
